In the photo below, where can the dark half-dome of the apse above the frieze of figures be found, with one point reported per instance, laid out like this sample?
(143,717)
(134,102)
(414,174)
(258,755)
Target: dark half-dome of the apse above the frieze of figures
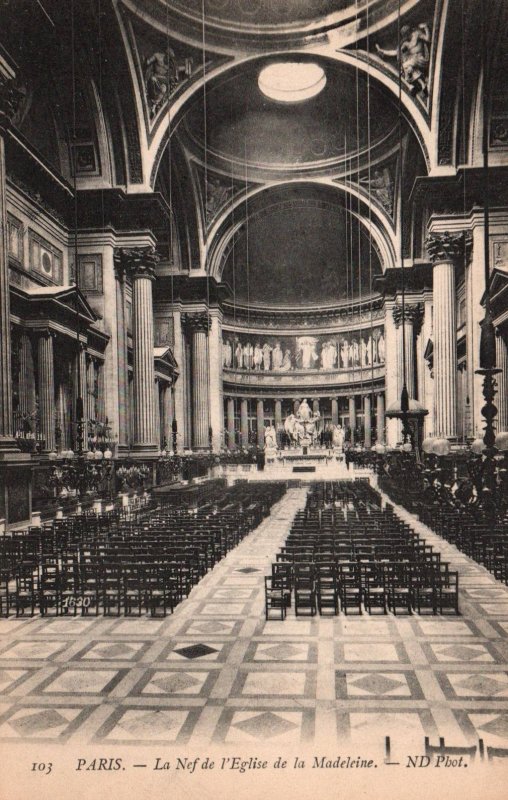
(301,247)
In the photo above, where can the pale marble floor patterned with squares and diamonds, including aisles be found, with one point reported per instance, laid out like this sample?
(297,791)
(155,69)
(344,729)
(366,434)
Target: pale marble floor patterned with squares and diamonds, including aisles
(216,672)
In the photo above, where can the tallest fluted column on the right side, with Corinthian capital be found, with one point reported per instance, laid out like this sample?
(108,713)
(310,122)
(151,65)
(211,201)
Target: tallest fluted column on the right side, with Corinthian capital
(444,249)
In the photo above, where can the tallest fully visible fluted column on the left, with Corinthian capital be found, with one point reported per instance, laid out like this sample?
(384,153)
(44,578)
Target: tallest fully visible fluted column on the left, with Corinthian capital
(141,265)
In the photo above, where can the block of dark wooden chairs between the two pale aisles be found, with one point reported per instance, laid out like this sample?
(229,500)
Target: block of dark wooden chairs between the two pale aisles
(345,552)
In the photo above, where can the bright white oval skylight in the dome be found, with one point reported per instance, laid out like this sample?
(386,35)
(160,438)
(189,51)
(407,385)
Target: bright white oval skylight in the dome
(292,81)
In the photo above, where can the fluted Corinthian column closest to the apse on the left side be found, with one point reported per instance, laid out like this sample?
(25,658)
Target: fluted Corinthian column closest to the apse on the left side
(198,326)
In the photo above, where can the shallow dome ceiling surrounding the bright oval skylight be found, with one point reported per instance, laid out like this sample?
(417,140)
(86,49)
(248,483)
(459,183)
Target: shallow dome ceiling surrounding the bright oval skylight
(238,125)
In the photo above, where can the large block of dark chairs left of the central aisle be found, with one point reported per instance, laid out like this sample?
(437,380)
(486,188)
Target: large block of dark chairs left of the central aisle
(112,564)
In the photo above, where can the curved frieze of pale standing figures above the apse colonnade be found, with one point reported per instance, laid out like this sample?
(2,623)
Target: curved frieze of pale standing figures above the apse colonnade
(287,353)
